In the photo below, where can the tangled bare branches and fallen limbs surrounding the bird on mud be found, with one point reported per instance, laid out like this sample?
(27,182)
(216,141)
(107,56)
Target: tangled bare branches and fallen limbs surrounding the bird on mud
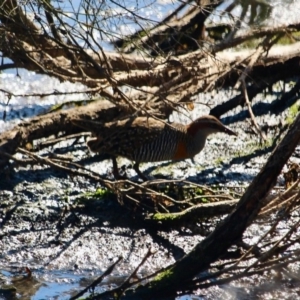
(155,71)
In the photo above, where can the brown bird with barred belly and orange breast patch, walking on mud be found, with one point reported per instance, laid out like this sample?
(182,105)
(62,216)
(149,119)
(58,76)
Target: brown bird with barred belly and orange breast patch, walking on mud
(147,139)
